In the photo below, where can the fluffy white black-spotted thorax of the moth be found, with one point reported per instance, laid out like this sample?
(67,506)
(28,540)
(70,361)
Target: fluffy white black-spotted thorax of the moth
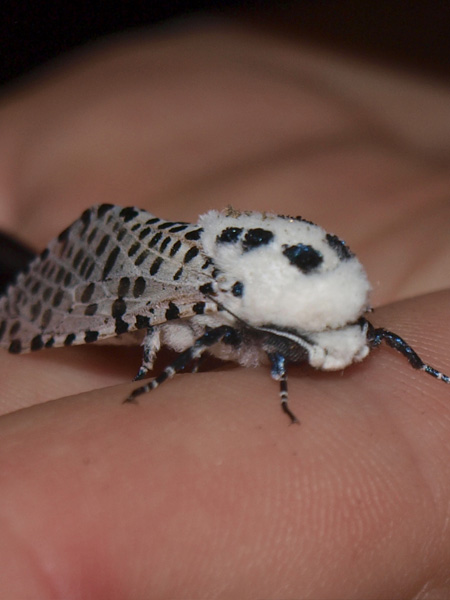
(285,271)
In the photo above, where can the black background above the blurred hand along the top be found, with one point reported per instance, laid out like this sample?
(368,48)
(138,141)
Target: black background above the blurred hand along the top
(412,33)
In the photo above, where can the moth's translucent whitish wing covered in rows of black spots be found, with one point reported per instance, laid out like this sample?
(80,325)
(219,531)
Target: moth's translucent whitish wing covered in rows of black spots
(114,270)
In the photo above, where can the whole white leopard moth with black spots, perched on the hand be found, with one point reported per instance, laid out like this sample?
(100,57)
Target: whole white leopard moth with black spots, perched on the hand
(244,286)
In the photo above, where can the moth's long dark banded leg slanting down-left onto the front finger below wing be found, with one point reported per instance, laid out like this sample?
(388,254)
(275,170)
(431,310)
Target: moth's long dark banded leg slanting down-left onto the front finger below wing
(211,337)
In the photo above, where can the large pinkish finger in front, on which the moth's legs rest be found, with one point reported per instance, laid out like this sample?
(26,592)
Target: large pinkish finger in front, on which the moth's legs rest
(204,490)
